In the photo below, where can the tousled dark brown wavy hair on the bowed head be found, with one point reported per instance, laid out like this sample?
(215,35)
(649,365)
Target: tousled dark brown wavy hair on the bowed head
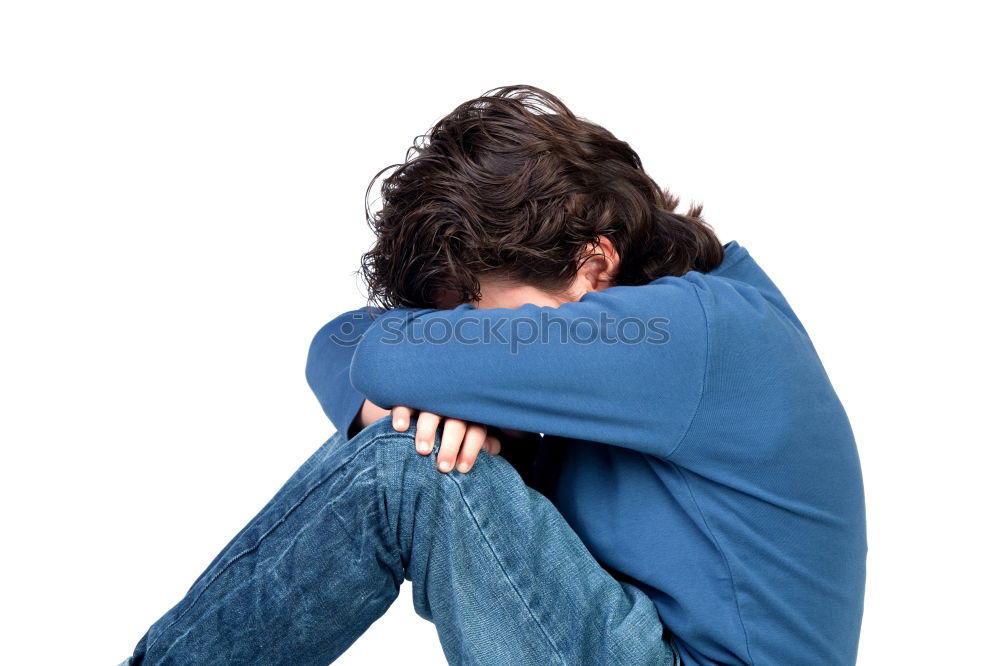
(514,185)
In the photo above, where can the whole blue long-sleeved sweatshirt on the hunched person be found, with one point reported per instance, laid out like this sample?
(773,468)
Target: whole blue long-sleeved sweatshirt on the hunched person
(692,439)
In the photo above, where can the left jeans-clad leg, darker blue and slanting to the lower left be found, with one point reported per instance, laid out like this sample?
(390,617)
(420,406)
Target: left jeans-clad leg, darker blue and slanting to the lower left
(299,583)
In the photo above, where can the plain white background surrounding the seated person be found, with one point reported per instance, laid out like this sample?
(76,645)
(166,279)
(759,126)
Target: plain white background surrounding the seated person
(181,192)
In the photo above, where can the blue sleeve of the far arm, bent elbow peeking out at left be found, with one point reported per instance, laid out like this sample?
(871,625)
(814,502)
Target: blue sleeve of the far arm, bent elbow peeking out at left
(328,364)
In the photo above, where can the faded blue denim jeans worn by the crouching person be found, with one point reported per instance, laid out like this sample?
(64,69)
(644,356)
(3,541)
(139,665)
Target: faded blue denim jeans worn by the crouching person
(494,566)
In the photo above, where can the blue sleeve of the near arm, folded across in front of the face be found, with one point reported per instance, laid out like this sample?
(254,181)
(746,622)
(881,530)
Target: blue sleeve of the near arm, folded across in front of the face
(624,366)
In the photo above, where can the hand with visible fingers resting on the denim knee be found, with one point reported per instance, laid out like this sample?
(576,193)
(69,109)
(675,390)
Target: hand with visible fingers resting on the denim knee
(460,440)
